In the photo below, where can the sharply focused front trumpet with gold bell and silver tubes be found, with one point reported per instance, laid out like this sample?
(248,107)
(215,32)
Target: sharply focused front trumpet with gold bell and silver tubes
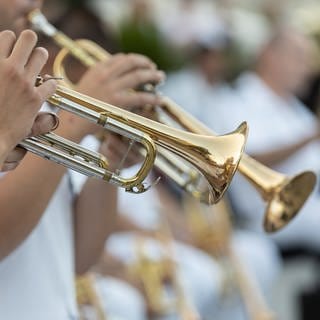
(198,150)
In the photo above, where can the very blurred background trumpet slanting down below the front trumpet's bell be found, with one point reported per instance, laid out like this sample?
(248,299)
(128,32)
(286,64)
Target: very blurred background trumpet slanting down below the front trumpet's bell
(212,231)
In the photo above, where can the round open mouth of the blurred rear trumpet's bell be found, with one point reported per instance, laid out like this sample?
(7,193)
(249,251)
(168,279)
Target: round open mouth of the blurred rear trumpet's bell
(287,199)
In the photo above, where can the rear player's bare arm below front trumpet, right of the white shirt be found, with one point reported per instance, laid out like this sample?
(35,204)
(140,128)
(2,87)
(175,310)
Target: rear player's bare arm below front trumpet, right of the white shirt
(95,216)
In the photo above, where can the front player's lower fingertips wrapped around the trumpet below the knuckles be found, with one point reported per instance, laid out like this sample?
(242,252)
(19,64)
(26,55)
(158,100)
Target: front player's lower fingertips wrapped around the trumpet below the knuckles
(44,122)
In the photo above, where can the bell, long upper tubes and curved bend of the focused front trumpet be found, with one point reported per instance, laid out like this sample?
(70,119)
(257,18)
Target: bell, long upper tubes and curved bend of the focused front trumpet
(206,153)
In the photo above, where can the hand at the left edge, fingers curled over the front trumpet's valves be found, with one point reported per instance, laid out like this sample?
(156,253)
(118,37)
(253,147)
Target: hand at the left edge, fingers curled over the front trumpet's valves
(20,100)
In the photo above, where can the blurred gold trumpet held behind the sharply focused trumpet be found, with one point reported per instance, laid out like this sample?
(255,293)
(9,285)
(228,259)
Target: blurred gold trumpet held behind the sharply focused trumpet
(284,195)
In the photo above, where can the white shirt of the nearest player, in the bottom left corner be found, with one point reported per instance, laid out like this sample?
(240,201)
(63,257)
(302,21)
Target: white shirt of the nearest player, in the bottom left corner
(37,278)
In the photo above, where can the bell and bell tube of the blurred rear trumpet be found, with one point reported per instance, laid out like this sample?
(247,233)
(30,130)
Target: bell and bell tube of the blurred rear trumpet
(284,195)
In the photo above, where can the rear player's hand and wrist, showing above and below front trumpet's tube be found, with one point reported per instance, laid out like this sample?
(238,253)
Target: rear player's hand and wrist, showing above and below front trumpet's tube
(112,81)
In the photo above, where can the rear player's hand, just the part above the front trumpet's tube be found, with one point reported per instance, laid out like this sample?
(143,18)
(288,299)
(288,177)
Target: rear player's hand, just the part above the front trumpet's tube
(113,81)
